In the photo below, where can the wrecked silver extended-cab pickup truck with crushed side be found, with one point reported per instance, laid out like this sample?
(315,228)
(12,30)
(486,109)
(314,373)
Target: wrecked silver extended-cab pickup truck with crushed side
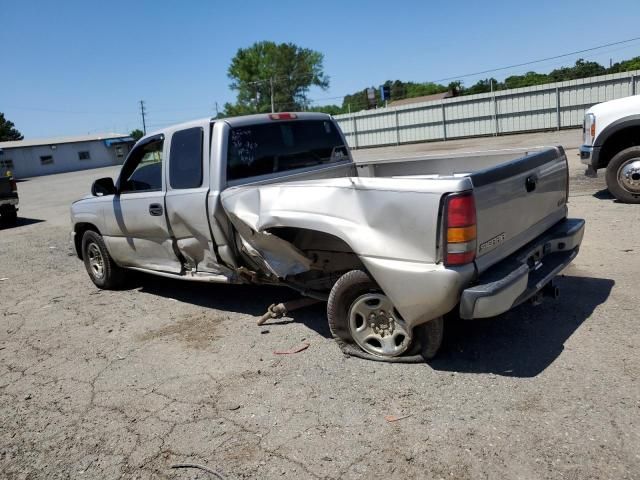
(392,246)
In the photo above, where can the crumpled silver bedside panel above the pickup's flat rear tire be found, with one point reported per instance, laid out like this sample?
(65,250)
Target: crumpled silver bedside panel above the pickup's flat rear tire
(379,218)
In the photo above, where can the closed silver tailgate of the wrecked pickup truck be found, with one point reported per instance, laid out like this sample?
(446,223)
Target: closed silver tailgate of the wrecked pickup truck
(517,201)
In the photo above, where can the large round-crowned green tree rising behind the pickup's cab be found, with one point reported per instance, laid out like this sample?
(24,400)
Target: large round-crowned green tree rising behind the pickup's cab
(284,69)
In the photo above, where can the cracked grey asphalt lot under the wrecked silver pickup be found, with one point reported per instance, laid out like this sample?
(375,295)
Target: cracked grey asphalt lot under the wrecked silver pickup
(98,384)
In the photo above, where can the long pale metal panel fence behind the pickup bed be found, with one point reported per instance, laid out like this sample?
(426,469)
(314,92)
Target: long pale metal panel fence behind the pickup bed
(543,107)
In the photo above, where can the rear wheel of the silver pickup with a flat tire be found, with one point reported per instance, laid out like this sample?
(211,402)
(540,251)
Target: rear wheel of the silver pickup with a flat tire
(363,319)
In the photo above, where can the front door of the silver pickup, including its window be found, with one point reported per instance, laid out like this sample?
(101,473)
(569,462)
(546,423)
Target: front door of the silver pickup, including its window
(137,230)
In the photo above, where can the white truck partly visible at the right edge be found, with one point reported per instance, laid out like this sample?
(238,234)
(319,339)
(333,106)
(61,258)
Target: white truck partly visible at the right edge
(611,140)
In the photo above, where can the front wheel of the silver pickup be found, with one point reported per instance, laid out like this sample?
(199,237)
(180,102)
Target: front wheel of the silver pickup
(102,270)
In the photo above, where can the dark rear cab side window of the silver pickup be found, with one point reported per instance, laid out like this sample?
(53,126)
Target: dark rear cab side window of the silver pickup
(185,158)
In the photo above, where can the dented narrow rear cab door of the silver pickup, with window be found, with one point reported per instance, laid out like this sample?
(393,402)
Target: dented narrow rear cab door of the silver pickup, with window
(186,200)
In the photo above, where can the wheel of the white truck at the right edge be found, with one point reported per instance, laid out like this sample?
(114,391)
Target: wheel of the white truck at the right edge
(623,175)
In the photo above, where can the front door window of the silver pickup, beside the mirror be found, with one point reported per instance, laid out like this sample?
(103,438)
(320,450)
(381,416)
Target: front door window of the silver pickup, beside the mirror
(142,172)
